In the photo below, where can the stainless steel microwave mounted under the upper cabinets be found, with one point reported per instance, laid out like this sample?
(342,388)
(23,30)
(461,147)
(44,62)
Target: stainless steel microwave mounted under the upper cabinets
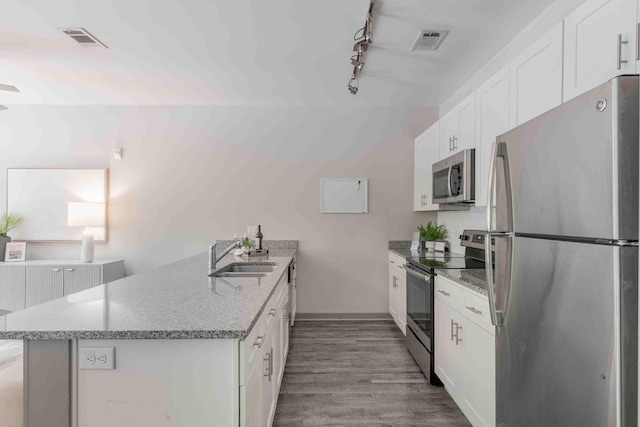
(454,178)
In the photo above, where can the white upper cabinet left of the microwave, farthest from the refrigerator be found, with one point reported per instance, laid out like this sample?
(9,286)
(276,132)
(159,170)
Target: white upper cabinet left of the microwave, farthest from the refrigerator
(426,153)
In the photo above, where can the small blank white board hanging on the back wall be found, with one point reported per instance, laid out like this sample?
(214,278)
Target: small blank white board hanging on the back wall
(344,195)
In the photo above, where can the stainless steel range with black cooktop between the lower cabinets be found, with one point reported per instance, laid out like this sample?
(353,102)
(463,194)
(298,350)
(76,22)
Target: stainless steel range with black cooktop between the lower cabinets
(420,295)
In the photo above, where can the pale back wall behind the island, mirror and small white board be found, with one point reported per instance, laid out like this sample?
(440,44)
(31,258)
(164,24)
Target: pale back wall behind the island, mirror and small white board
(193,174)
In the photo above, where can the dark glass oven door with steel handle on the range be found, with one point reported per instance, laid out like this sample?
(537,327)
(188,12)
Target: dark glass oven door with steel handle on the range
(420,305)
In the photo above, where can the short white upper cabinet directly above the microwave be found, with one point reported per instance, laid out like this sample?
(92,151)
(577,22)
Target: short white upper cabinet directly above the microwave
(458,128)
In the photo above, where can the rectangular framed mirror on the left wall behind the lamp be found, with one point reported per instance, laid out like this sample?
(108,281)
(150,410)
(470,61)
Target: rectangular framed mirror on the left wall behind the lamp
(44,196)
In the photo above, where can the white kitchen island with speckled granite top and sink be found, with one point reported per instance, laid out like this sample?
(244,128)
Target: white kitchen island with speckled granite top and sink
(188,349)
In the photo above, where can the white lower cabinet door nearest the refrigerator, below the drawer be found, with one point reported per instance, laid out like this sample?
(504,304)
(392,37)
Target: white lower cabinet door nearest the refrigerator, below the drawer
(479,379)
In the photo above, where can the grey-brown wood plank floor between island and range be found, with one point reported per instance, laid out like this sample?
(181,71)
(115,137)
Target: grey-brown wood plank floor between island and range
(358,373)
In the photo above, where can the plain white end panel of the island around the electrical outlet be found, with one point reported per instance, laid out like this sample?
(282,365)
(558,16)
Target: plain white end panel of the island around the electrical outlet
(162,383)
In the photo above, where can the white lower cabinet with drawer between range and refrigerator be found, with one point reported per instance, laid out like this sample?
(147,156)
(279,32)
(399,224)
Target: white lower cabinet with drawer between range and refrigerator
(465,351)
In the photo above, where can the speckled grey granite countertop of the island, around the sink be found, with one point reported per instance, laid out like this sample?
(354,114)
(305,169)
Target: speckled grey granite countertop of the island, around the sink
(175,301)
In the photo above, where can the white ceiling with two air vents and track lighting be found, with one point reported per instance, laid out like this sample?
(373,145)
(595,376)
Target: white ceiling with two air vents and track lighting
(246,52)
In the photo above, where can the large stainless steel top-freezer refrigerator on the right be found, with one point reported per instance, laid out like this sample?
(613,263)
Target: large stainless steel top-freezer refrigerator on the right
(565,295)
